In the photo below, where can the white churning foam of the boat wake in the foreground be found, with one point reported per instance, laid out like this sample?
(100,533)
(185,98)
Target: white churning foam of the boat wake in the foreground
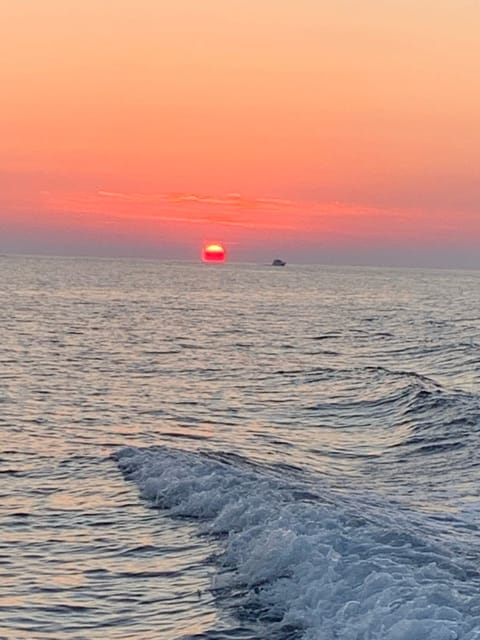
(312,564)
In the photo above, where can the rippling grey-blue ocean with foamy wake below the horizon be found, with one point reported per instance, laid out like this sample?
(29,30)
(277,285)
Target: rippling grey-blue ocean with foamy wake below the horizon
(238,451)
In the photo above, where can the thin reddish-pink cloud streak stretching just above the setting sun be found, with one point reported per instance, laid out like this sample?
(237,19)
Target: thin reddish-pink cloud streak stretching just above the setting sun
(312,220)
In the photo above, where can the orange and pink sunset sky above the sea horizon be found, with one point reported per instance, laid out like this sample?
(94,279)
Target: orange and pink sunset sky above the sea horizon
(342,132)
